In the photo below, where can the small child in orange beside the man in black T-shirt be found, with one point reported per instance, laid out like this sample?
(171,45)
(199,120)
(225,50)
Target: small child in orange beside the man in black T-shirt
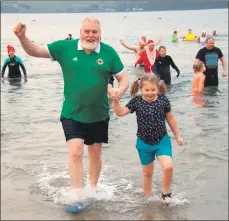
(199,78)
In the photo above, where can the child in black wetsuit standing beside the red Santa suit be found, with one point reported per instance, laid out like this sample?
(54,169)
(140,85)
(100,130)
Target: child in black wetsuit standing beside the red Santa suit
(162,66)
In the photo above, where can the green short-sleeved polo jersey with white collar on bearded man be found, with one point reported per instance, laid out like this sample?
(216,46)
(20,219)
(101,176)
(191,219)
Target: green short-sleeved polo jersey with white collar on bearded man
(86,79)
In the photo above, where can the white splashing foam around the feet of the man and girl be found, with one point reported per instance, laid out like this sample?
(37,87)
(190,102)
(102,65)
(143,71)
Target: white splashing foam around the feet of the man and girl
(119,190)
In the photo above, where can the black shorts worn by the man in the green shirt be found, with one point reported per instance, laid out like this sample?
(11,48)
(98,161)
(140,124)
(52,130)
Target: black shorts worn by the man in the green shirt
(90,132)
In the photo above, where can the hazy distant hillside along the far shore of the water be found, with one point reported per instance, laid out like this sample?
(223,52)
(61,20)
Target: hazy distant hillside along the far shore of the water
(107,6)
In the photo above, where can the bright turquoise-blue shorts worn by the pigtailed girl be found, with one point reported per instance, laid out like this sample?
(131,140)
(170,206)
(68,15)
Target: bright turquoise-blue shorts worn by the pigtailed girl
(147,152)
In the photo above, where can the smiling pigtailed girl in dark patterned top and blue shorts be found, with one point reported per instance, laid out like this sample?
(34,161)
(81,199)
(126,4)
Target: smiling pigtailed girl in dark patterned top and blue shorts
(152,109)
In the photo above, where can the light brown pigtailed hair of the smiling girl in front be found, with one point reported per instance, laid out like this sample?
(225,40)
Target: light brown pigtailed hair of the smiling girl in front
(150,77)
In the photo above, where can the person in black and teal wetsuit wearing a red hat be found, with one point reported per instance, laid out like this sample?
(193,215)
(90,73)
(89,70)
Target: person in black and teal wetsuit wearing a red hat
(14,63)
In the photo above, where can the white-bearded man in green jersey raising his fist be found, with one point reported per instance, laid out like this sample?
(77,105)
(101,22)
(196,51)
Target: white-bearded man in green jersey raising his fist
(87,65)
